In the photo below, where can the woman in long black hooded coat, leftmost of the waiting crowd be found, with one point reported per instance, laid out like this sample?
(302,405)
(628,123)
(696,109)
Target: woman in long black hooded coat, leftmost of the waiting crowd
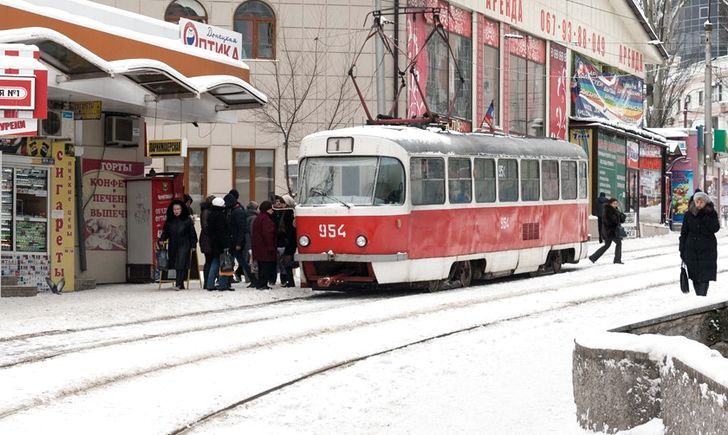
(180,231)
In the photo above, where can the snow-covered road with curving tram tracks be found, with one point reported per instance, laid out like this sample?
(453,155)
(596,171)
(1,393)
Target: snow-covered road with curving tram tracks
(494,358)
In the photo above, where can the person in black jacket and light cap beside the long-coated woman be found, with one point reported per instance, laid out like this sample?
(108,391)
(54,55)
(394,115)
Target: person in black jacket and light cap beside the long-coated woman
(220,239)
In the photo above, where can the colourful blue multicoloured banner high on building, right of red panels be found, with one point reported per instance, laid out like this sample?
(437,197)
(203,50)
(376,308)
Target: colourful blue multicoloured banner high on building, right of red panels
(605,95)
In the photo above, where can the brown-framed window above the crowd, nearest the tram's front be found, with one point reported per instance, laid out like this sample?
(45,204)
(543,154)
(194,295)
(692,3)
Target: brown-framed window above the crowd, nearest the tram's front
(254,165)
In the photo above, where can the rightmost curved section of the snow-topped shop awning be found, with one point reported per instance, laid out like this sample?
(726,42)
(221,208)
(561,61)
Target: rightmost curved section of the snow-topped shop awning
(232,92)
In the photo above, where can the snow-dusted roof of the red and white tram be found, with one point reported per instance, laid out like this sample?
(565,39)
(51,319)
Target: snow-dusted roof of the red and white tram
(435,140)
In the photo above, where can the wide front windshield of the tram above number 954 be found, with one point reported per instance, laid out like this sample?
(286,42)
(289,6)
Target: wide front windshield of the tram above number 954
(352,181)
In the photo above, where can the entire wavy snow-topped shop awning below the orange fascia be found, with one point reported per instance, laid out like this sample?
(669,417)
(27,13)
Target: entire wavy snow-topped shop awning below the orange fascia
(146,87)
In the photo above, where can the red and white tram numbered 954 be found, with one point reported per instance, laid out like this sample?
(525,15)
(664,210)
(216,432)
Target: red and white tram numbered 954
(393,205)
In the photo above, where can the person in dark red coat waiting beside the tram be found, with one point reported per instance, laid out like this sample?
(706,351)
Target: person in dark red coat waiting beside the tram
(264,245)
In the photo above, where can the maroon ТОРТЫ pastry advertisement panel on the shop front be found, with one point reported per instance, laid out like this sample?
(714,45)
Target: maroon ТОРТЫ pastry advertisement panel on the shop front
(104,188)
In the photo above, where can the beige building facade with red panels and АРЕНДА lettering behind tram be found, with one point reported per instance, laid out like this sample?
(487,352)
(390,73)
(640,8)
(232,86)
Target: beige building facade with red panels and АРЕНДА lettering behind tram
(539,66)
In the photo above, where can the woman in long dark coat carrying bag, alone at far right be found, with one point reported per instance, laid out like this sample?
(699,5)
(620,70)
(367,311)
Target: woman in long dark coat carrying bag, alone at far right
(698,246)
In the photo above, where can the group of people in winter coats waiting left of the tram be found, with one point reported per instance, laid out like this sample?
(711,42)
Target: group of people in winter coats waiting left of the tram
(260,239)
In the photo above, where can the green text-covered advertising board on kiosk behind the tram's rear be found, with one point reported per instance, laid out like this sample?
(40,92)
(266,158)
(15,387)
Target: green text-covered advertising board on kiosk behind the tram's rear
(612,168)
